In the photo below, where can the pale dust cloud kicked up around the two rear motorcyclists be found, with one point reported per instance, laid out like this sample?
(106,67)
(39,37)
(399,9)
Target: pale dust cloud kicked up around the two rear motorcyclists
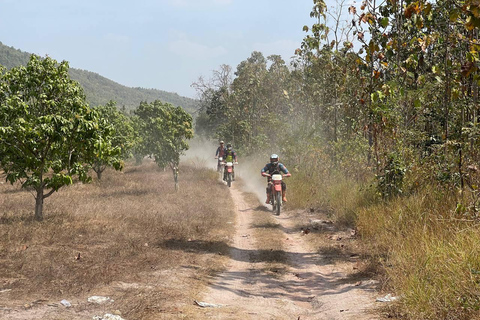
(202,154)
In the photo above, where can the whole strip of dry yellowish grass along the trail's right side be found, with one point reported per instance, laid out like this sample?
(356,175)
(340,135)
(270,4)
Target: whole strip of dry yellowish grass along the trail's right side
(421,248)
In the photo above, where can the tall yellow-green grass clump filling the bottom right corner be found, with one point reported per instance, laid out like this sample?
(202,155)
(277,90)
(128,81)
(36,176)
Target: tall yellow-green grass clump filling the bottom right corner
(430,254)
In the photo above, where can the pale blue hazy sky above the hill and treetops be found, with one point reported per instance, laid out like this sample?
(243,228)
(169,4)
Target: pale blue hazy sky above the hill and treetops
(161,44)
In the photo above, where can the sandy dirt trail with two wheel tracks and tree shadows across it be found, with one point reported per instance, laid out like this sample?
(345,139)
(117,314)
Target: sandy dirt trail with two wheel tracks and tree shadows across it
(310,289)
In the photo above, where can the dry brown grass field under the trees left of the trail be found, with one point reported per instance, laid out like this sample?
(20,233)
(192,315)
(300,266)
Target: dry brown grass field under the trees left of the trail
(117,229)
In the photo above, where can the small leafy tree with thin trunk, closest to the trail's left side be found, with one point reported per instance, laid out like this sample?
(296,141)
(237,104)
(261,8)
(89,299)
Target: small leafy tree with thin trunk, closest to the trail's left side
(165,129)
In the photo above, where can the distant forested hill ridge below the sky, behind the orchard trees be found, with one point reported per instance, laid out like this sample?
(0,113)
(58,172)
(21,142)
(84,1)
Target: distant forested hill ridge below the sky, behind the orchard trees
(99,90)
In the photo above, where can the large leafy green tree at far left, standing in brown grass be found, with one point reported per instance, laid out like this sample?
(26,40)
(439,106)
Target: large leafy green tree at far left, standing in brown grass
(48,134)
